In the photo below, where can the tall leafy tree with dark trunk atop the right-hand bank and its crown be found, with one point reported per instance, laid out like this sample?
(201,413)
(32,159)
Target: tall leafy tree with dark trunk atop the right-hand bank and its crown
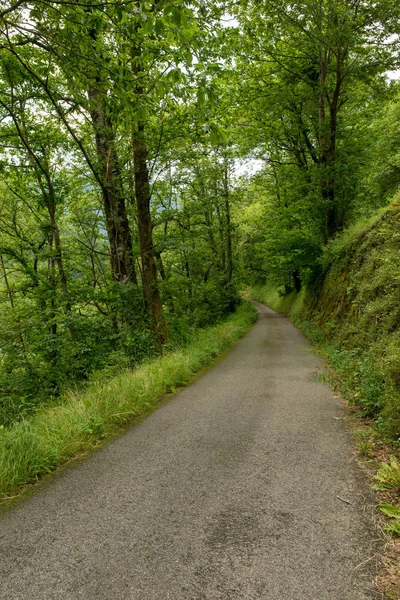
(307,58)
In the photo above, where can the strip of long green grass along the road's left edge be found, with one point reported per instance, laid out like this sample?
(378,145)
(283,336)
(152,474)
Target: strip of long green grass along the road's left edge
(35,447)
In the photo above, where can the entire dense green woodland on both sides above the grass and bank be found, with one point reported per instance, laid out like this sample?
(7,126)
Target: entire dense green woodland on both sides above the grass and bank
(159,157)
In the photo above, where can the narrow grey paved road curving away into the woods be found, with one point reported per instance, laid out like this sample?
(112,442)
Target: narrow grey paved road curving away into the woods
(230,490)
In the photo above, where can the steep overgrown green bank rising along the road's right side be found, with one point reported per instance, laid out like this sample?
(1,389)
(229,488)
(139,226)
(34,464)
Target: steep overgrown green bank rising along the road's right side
(351,311)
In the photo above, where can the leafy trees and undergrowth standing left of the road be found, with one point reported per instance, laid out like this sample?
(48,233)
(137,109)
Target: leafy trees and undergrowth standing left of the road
(84,252)
